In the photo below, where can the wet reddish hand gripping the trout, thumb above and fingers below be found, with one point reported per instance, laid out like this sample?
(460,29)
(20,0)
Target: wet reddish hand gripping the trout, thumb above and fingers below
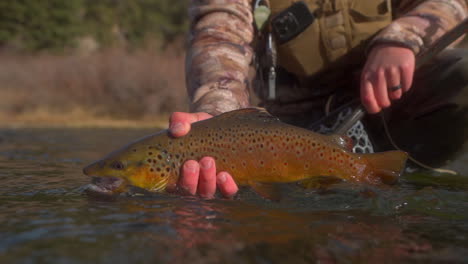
(200,177)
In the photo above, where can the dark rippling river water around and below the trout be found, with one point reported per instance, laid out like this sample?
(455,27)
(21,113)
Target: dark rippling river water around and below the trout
(45,217)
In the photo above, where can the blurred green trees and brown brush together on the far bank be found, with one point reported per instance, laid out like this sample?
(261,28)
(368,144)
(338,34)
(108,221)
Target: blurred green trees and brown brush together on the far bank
(97,58)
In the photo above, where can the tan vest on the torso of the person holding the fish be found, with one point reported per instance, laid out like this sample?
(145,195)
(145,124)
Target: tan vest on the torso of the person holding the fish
(340,26)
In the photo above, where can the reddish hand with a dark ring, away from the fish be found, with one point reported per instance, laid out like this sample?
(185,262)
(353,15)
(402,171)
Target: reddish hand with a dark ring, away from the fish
(388,74)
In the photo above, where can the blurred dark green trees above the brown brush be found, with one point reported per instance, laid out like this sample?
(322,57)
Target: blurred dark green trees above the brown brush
(32,25)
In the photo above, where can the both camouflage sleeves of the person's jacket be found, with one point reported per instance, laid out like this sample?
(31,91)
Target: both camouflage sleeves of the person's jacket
(220,45)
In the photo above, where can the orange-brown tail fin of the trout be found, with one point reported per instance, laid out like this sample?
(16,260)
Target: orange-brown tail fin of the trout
(387,166)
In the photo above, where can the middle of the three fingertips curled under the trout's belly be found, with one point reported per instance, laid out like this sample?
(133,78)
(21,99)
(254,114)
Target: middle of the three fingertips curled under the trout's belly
(207,179)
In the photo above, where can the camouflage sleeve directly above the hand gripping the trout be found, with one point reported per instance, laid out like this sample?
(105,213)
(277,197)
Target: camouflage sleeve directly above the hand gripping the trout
(219,55)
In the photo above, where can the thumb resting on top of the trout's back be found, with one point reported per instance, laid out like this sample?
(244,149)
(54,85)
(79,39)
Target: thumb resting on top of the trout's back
(179,122)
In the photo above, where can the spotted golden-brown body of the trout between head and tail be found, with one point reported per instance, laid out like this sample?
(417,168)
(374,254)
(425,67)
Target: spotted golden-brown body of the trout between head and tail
(270,151)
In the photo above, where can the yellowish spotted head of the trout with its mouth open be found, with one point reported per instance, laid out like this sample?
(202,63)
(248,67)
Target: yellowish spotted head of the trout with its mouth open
(130,167)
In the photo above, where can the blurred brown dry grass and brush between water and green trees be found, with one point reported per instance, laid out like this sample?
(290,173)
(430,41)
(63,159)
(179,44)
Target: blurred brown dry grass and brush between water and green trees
(107,85)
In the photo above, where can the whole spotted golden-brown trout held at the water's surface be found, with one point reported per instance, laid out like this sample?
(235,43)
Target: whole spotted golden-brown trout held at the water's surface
(255,147)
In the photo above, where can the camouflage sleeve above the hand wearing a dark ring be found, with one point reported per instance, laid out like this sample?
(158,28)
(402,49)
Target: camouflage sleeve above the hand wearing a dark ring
(421,23)
